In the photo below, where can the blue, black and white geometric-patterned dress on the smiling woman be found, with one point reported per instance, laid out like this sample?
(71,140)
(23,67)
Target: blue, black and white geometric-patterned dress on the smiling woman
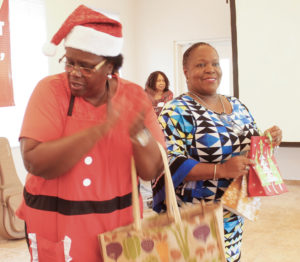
(195,134)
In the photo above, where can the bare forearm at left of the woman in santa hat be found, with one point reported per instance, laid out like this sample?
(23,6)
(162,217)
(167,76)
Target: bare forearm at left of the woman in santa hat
(54,158)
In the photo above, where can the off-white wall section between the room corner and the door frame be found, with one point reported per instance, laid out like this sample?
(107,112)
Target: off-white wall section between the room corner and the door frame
(160,23)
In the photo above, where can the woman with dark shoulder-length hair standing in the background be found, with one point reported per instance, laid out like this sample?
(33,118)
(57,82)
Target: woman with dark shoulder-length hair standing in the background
(157,88)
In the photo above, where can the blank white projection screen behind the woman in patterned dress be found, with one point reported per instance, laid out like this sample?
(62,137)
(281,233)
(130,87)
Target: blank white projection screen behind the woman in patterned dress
(269,59)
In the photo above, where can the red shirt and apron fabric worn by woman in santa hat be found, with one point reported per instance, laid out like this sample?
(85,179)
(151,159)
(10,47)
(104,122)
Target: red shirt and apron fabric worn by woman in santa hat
(46,119)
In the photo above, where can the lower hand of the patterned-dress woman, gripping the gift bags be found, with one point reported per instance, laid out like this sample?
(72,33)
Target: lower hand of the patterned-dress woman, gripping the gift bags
(235,167)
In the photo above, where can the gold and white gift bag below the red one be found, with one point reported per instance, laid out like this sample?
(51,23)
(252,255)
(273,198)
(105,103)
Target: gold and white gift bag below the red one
(236,199)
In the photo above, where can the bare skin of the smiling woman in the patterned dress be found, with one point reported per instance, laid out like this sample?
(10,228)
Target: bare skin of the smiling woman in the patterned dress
(203,75)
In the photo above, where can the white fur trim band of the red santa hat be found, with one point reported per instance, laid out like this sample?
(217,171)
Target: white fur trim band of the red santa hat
(92,41)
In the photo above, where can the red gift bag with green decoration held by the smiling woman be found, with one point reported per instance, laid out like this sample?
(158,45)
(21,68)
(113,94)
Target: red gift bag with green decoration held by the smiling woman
(264,177)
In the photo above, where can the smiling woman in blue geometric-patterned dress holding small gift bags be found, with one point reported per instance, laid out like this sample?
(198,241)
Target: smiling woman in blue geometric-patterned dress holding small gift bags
(206,135)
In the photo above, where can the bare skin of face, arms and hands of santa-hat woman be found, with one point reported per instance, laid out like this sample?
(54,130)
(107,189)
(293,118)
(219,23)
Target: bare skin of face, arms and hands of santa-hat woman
(52,159)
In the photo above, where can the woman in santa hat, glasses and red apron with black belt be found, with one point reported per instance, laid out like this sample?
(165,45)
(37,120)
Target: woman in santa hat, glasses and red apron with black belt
(80,130)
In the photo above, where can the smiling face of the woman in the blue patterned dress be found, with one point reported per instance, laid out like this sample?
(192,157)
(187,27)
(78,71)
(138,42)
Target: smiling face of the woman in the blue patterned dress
(202,70)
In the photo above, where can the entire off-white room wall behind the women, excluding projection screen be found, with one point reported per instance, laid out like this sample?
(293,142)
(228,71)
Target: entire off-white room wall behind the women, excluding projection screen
(150,29)
